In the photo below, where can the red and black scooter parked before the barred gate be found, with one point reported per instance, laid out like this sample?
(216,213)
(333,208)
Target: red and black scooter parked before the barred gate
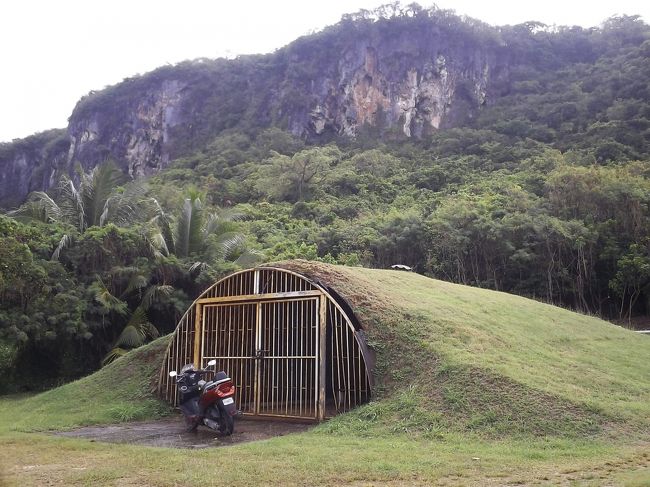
(210,403)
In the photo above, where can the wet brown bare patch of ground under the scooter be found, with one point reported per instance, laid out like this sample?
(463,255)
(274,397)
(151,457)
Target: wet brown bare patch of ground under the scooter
(170,432)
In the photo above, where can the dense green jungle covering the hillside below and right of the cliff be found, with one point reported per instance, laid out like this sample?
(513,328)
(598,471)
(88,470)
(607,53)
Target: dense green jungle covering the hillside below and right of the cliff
(544,194)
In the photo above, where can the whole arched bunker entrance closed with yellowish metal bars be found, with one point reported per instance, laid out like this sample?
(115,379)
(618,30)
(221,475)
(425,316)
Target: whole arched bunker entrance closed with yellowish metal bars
(292,346)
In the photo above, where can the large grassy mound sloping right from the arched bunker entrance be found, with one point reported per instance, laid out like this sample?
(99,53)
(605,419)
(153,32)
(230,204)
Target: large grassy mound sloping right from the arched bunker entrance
(462,359)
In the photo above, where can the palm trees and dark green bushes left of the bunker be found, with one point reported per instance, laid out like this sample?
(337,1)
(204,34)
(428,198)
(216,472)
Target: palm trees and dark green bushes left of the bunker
(114,282)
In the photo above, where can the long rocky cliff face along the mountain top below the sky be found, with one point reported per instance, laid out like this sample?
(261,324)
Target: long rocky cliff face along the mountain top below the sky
(400,76)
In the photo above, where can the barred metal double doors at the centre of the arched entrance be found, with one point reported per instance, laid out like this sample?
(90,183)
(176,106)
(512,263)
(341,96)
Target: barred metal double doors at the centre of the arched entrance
(271,349)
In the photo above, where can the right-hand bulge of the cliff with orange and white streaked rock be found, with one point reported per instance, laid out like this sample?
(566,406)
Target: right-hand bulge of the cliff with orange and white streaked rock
(410,81)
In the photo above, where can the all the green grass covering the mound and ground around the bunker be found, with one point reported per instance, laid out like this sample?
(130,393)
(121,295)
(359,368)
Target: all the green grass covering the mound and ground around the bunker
(476,388)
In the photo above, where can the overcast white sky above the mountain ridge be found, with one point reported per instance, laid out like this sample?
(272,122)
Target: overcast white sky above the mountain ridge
(53,52)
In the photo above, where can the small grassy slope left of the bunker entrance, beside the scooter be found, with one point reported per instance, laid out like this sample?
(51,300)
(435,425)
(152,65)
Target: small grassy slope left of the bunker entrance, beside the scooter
(122,391)
